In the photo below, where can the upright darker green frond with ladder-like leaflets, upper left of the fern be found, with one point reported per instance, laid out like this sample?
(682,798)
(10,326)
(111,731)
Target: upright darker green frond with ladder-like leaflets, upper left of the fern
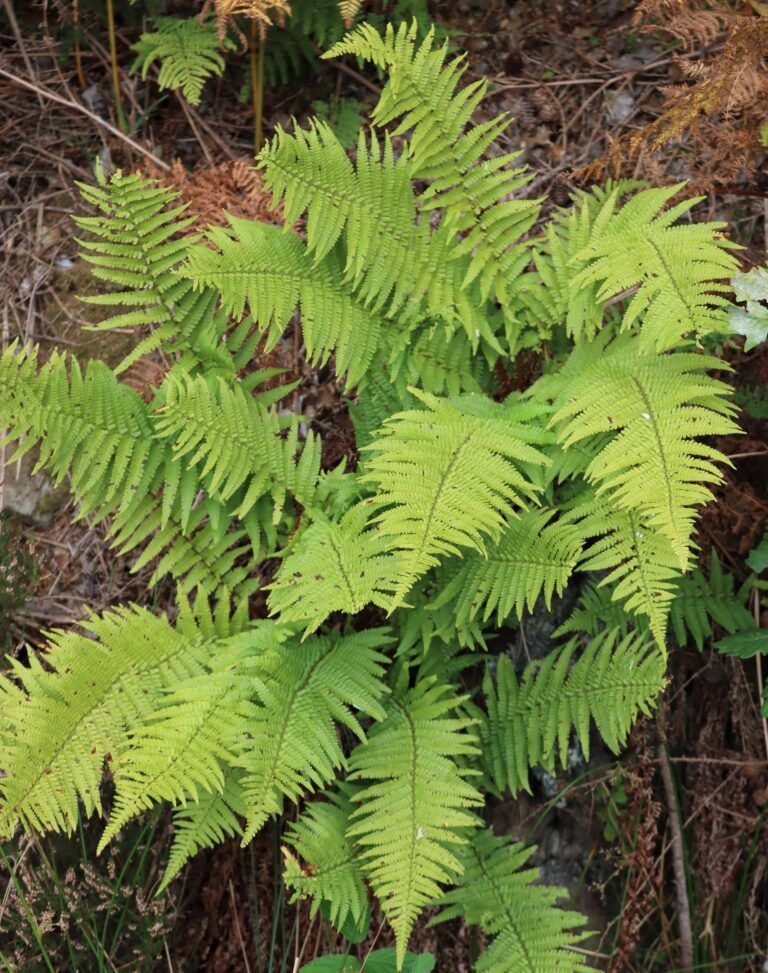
(137,244)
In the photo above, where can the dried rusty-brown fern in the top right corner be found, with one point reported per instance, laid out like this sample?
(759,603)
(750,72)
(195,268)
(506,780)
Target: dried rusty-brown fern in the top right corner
(723,105)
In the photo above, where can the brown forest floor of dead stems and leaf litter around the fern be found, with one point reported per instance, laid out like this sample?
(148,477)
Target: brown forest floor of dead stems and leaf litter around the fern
(576,76)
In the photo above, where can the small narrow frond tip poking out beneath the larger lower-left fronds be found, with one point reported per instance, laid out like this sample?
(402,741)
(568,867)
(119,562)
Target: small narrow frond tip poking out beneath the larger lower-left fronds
(214,816)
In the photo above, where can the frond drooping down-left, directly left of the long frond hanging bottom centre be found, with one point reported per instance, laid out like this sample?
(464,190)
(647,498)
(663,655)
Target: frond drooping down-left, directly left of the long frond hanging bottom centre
(292,744)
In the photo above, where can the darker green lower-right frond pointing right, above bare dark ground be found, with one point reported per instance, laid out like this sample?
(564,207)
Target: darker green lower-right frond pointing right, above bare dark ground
(530,717)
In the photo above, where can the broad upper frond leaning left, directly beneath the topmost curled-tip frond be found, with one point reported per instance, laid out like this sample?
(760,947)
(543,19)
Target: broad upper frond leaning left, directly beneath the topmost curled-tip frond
(394,263)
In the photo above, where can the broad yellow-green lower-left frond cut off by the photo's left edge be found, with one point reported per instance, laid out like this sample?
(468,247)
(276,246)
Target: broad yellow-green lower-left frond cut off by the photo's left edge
(78,712)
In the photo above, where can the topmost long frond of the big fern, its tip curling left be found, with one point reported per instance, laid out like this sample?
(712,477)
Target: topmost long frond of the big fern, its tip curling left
(473,195)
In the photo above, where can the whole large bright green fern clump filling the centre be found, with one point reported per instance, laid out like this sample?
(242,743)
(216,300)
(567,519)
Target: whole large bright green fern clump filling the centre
(345,686)
